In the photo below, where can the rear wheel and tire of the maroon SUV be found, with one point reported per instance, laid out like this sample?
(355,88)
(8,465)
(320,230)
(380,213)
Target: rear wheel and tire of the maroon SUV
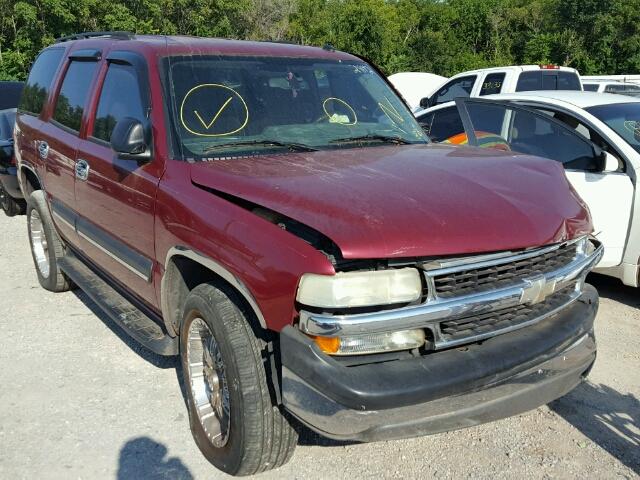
(46,247)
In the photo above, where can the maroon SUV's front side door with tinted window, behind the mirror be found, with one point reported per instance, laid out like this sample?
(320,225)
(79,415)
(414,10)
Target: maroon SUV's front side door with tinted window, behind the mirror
(115,196)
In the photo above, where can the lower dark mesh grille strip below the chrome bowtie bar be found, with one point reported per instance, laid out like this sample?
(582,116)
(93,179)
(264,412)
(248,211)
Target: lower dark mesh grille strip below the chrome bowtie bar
(503,319)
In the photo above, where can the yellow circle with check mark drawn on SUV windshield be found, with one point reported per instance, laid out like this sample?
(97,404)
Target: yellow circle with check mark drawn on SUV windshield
(213,110)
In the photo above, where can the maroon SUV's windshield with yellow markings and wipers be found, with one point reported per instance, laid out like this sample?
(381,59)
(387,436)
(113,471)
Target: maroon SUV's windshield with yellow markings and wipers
(226,107)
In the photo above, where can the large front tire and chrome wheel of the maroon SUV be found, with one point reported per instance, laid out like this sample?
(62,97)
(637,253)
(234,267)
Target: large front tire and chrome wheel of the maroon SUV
(258,435)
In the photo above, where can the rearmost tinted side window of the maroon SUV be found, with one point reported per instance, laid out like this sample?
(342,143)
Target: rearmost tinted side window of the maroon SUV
(38,84)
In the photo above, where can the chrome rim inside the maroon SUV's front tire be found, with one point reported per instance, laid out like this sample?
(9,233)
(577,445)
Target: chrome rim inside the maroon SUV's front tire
(208,383)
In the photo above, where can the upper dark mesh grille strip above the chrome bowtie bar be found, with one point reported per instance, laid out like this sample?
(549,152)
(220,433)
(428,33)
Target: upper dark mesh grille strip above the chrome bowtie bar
(476,280)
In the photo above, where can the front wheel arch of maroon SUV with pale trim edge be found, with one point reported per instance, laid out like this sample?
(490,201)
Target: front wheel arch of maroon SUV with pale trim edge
(185,269)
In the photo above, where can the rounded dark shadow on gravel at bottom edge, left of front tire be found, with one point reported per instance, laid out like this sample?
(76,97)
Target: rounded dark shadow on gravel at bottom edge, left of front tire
(145,458)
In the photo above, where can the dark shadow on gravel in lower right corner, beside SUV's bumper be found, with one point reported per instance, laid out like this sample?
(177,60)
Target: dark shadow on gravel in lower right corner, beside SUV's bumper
(609,418)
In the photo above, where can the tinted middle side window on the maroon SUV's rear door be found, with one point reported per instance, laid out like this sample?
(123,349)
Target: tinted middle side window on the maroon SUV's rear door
(73,94)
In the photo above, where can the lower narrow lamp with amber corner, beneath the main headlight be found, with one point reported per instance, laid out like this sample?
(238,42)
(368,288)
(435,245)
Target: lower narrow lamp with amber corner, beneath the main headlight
(371,343)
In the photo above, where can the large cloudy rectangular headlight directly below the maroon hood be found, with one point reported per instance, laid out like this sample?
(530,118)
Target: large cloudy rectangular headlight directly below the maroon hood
(360,289)
